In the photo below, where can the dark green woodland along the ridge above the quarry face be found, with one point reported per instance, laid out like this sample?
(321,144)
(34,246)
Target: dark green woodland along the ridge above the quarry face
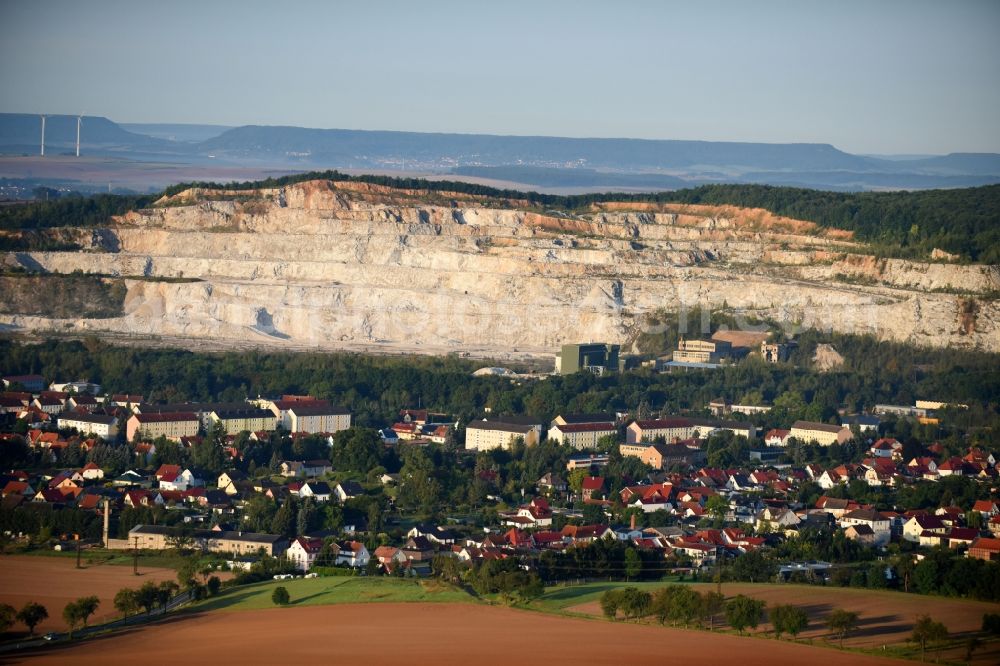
(902,224)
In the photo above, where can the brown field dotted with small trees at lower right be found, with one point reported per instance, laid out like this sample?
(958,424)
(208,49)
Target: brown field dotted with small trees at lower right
(884,618)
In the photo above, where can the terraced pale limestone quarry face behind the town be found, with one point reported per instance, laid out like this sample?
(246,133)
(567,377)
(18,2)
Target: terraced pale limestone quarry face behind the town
(325,265)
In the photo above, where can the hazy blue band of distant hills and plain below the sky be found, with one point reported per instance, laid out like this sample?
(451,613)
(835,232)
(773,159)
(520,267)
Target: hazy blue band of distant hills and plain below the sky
(533,161)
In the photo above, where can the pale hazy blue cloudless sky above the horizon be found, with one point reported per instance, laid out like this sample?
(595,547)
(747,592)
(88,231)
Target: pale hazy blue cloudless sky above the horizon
(903,76)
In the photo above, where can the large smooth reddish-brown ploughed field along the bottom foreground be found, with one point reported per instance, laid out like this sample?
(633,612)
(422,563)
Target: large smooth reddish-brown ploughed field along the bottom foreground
(440,634)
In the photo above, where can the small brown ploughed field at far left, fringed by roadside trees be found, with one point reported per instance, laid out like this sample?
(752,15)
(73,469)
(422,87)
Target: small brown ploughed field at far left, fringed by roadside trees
(55,581)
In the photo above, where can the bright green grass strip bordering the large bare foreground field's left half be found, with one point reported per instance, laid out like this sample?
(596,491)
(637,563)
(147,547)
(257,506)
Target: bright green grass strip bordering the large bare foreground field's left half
(336,590)
